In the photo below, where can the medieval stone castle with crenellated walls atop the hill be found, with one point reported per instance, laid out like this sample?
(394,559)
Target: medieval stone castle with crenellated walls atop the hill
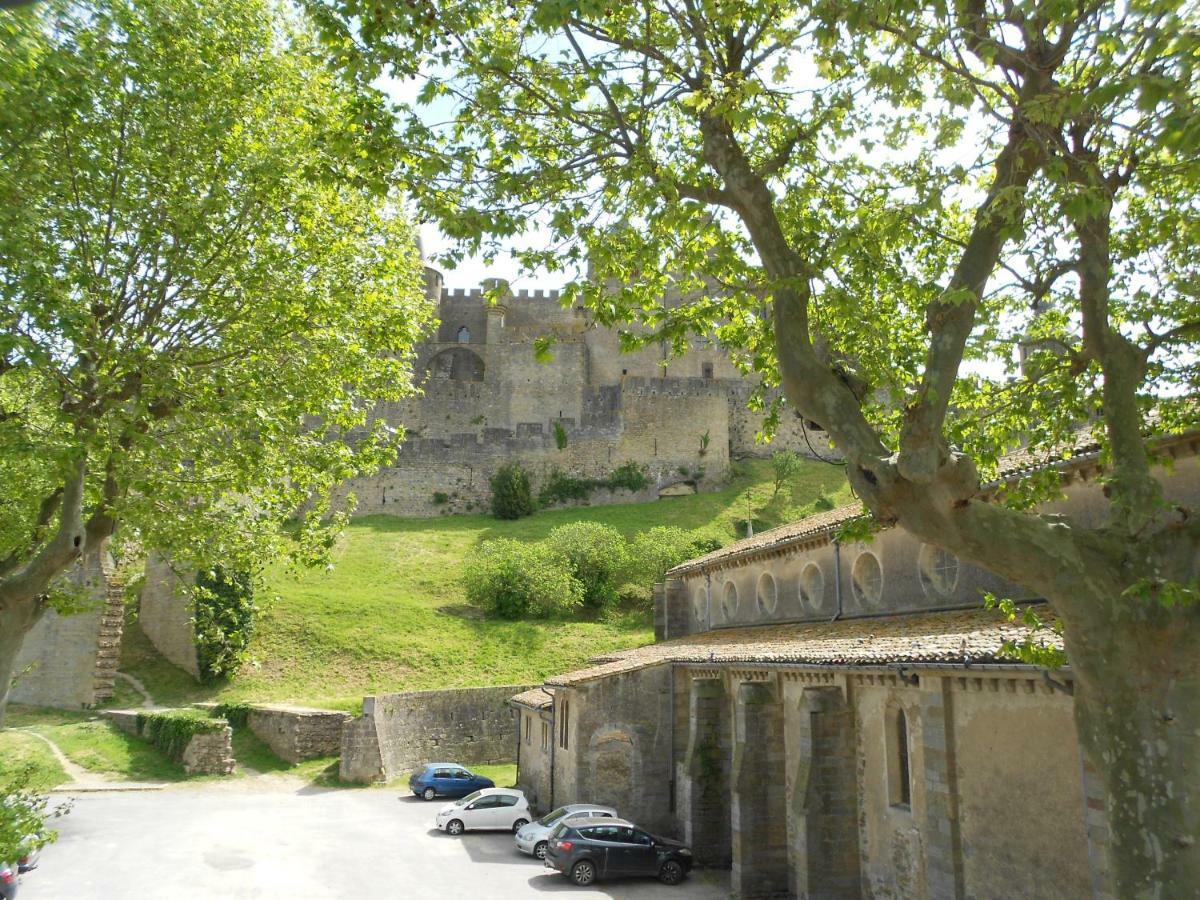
(487,401)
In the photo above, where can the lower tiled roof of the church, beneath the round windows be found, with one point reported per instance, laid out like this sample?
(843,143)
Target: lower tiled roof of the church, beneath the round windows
(974,635)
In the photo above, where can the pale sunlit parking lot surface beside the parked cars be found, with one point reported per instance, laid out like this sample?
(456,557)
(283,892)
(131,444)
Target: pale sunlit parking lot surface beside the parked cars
(223,842)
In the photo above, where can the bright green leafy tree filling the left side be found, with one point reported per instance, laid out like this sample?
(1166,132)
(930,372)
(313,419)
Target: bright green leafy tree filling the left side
(200,278)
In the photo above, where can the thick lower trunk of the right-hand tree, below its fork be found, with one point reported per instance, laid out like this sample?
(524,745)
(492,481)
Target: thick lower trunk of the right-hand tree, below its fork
(1137,670)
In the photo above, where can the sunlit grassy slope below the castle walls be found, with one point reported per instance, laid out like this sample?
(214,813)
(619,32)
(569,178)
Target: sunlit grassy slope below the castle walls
(385,619)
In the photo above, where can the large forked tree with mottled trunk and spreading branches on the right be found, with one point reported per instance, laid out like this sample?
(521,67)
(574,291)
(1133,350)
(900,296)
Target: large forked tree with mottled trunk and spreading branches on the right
(885,193)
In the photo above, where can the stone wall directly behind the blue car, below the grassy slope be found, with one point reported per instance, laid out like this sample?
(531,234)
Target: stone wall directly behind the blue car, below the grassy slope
(398,733)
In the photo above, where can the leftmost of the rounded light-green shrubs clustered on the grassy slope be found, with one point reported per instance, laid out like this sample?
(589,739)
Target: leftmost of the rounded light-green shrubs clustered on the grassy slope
(515,580)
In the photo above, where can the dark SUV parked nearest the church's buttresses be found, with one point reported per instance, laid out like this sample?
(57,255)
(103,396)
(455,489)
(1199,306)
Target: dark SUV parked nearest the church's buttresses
(590,849)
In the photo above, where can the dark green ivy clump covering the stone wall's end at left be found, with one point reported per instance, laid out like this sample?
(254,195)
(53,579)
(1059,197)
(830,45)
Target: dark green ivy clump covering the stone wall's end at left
(224,622)
